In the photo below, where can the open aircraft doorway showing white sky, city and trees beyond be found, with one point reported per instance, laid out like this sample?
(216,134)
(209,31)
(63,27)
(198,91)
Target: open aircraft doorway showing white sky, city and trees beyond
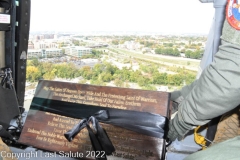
(150,45)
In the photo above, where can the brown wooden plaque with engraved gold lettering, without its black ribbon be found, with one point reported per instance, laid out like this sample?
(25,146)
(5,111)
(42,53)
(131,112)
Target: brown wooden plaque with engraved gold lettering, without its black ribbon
(46,130)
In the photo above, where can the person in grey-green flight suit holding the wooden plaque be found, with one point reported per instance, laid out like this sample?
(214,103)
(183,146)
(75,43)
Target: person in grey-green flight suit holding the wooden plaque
(216,92)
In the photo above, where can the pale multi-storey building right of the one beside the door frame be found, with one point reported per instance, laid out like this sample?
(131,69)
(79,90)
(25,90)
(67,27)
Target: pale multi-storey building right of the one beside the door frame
(77,51)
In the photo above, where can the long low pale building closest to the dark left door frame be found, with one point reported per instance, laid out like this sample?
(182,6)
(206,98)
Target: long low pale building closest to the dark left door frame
(44,53)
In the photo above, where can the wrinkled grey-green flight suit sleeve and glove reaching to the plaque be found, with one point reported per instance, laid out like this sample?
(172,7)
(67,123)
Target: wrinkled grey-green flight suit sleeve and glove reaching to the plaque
(216,92)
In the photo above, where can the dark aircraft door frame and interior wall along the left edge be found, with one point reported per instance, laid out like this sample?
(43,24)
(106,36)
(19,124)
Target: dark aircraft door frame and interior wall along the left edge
(14,33)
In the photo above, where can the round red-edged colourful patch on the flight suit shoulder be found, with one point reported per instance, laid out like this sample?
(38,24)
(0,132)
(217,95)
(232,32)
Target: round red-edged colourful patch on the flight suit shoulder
(233,13)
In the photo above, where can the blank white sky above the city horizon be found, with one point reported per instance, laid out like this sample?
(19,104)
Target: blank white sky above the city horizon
(175,16)
